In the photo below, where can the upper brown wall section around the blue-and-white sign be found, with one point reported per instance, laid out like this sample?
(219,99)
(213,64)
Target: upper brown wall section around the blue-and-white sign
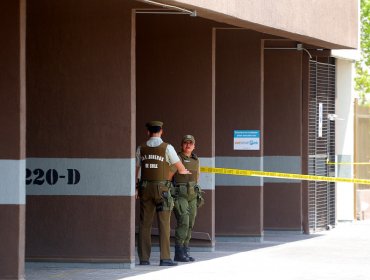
(238,87)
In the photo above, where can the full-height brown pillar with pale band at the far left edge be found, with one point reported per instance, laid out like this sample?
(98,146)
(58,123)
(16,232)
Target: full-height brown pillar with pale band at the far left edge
(12,135)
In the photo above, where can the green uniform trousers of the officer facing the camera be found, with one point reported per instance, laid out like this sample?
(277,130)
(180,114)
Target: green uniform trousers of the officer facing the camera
(185,212)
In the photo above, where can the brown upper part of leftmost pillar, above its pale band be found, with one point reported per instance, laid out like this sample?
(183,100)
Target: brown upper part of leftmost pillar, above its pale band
(12,80)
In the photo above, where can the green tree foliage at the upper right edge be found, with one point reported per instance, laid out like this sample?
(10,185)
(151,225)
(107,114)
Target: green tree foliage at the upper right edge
(362,78)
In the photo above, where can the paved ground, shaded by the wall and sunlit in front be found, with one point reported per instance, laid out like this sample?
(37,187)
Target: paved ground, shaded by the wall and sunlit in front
(341,253)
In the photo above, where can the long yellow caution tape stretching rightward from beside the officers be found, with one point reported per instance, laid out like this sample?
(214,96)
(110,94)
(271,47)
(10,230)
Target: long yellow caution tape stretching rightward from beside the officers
(256,173)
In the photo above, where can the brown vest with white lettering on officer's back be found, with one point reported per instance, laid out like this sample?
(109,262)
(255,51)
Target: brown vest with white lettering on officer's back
(154,166)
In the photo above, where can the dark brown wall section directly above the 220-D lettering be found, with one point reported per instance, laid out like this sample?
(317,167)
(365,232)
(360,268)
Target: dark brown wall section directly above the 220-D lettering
(79,79)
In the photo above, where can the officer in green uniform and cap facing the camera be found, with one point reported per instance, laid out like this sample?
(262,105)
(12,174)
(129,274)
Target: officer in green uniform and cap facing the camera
(188,197)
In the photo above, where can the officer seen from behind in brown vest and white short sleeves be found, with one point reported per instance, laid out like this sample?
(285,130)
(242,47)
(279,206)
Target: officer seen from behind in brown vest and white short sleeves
(153,159)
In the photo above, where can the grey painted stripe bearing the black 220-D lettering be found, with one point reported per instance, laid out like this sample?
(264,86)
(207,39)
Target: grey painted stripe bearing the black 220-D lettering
(105,177)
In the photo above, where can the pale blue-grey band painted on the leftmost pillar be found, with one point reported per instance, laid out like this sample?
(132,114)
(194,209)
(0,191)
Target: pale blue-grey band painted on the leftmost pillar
(12,184)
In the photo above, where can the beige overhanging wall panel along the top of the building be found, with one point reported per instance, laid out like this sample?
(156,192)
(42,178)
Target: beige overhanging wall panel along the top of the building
(328,24)
